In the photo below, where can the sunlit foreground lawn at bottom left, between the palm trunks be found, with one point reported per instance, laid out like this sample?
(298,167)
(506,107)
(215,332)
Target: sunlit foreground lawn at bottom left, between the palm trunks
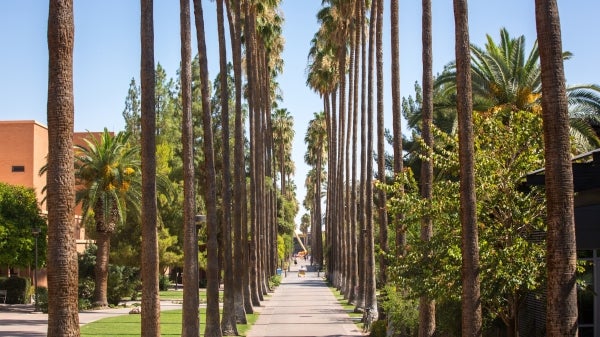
(130,325)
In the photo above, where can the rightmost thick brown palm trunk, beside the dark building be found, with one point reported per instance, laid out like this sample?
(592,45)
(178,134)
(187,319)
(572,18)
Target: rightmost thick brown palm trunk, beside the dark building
(561,257)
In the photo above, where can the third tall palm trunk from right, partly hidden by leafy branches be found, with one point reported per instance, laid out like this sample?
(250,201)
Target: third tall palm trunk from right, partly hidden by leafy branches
(427,305)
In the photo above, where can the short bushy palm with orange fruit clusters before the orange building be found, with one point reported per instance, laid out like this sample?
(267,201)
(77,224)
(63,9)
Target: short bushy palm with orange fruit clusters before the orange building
(107,171)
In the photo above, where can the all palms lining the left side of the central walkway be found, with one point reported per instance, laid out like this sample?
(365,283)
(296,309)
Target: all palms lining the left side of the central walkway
(244,215)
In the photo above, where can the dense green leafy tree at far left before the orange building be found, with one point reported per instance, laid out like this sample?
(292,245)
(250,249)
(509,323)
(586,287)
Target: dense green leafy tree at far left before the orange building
(19,214)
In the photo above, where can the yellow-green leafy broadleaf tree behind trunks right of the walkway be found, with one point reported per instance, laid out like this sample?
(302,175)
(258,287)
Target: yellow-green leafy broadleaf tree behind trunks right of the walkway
(507,146)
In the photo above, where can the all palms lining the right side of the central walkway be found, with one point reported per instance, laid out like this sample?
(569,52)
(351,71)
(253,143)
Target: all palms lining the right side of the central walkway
(346,50)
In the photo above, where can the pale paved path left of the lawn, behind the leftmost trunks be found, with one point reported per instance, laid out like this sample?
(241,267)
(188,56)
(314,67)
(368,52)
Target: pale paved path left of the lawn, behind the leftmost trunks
(18,320)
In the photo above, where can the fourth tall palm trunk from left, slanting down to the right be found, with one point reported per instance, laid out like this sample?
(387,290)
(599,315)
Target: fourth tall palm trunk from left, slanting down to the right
(212,290)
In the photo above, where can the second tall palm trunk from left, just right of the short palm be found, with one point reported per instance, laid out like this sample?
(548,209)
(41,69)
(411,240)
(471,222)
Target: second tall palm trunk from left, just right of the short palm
(150,270)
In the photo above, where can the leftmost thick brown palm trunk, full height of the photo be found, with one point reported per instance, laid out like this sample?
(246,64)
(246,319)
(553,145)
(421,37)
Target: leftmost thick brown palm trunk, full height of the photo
(63,318)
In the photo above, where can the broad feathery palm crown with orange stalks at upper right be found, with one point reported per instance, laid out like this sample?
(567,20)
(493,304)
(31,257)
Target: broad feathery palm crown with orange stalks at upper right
(503,76)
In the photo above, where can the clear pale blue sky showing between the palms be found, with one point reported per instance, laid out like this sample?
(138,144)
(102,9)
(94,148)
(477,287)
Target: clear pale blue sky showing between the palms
(107,53)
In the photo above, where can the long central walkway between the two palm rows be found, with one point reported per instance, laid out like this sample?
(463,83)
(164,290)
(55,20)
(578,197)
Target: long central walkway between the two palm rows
(303,306)
